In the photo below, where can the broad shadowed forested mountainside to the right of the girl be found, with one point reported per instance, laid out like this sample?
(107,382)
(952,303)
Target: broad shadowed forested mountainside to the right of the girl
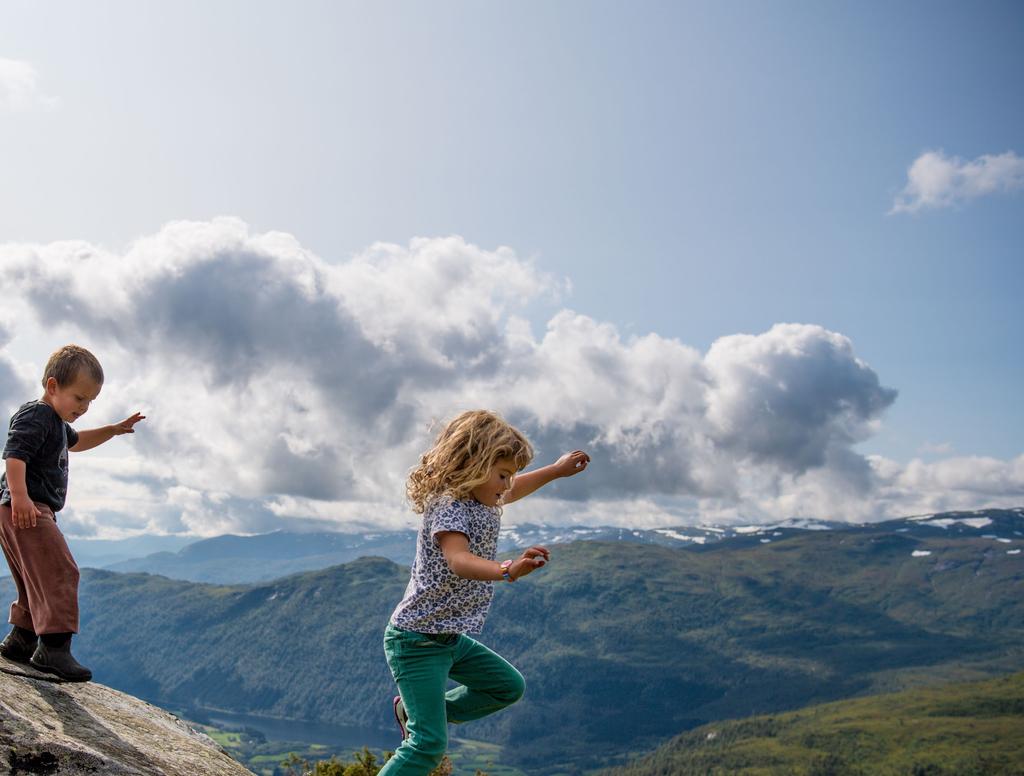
(645,640)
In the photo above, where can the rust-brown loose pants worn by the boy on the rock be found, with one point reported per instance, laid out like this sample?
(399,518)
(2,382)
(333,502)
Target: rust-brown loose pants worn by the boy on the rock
(45,572)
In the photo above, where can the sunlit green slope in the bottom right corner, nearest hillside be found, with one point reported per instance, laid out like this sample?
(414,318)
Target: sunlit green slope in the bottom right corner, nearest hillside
(974,729)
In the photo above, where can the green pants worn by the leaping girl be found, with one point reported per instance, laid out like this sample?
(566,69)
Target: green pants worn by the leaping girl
(422,665)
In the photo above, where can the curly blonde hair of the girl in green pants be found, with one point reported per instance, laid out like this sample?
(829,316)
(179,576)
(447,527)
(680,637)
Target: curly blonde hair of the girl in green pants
(463,456)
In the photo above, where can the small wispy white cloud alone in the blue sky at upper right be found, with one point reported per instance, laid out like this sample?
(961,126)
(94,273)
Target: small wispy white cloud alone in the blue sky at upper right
(935,181)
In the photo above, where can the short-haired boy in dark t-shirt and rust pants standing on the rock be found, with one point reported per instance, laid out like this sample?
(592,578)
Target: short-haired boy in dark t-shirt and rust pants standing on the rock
(32,492)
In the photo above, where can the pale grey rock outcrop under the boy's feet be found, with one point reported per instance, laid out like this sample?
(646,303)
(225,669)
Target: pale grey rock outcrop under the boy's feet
(53,727)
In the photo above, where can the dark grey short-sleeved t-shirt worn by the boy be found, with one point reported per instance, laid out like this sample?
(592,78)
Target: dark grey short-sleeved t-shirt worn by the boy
(41,440)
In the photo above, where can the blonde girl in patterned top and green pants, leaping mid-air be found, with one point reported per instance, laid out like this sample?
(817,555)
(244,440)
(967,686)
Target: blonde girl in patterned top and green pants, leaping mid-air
(459,488)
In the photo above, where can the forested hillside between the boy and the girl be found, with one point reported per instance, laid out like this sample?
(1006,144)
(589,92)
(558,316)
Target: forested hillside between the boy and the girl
(305,648)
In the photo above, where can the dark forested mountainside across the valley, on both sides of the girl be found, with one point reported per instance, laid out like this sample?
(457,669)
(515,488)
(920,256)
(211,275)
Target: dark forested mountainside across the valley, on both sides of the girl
(623,646)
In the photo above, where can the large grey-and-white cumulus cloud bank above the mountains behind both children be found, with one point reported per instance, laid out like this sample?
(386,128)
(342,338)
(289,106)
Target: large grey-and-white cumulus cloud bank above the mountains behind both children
(283,391)
